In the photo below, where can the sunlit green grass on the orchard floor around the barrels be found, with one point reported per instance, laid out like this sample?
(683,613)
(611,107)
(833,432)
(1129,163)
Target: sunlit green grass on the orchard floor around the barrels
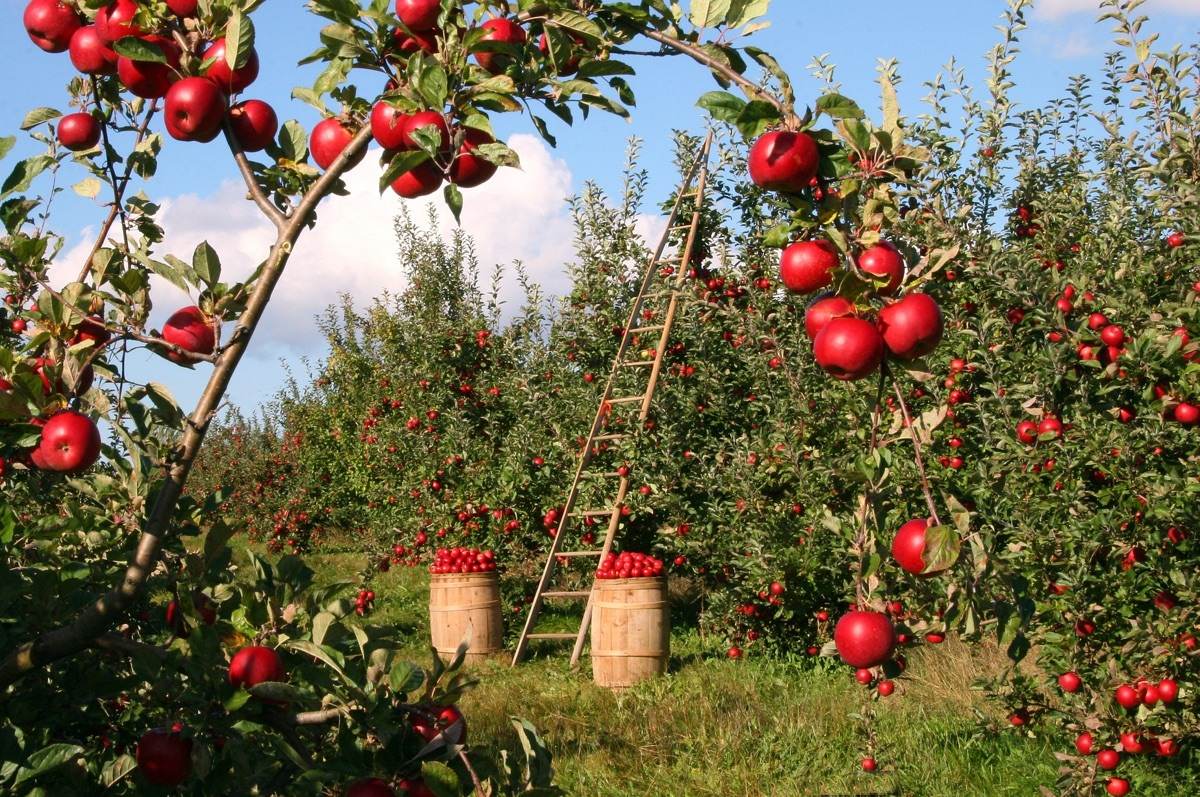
(758,727)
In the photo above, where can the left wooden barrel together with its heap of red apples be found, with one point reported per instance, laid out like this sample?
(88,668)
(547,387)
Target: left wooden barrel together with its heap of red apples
(465,604)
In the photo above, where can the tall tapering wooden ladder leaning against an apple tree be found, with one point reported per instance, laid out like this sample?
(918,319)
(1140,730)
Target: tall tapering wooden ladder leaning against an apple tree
(692,196)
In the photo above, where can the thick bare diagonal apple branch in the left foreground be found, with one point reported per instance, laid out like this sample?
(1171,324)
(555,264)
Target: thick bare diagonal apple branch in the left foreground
(98,619)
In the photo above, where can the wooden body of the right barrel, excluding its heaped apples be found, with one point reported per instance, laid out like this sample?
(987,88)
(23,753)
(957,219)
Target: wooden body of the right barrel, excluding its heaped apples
(631,631)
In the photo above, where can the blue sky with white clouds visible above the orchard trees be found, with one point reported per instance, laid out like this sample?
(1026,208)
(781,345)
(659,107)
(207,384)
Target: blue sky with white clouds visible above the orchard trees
(199,184)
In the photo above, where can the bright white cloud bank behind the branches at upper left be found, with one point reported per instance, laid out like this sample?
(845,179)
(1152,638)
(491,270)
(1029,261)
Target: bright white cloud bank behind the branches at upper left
(519,215)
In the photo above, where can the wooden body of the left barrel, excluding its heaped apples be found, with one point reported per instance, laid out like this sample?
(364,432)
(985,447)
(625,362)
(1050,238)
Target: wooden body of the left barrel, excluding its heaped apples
(466,606)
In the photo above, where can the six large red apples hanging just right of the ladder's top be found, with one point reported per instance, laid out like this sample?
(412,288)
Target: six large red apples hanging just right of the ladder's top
(848,344)
